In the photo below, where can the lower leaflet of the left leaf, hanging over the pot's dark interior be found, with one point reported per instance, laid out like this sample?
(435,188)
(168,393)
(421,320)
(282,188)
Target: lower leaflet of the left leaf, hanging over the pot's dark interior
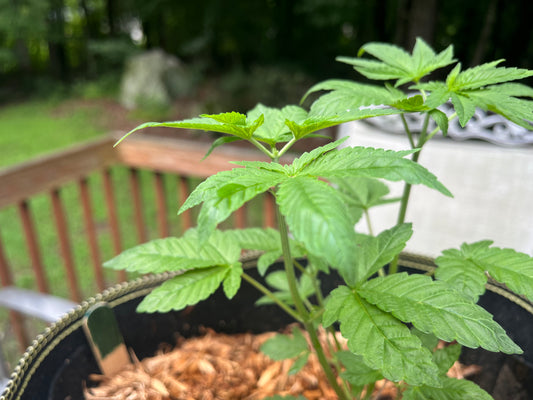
(184,290)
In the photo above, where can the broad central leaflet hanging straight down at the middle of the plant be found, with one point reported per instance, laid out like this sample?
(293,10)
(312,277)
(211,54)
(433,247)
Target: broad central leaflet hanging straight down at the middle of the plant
(315,215)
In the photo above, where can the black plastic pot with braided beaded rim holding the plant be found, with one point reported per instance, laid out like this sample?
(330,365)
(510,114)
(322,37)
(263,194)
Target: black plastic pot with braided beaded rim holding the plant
(57,365)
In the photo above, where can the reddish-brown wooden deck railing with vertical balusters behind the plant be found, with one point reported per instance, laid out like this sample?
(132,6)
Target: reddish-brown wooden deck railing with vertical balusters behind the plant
(177,160)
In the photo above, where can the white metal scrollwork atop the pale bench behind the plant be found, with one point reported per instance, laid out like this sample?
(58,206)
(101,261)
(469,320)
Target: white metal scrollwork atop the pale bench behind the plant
(483,126)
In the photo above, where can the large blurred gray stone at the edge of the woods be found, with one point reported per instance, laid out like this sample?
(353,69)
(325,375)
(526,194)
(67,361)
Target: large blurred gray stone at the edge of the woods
(153,79)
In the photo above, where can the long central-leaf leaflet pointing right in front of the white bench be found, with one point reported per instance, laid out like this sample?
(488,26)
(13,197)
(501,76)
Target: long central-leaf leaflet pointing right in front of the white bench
(373,163)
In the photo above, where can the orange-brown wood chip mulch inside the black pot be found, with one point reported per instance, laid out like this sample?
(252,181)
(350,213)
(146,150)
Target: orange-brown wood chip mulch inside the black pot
(222,367)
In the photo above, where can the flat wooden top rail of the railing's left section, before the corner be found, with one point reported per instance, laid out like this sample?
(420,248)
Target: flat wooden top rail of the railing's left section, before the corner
(49,172)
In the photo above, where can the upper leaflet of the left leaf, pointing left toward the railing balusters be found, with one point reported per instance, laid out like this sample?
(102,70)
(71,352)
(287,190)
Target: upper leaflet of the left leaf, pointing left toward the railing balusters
(176,254)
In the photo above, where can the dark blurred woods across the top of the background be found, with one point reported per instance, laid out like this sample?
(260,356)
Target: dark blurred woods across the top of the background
(43,42)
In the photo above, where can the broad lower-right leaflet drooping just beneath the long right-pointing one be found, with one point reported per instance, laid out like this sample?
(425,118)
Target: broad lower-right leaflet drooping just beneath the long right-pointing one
(385,343)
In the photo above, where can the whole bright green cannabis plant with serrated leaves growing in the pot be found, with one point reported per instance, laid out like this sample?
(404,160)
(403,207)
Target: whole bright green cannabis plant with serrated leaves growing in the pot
(391,320)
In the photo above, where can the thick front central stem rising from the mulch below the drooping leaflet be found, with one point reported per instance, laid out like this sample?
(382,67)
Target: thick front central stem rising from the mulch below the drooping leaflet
(300,308)
